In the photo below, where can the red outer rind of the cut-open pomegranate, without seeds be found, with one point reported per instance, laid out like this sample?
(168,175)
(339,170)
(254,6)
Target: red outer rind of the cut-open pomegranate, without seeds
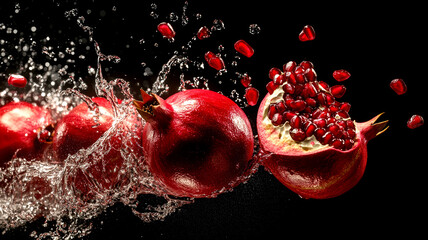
(319,174)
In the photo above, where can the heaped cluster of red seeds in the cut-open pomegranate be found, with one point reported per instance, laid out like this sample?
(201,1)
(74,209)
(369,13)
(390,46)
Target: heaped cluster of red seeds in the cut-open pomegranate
(309,106)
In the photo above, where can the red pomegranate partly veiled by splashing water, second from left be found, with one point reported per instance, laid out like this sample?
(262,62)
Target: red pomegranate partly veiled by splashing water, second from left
(78,130)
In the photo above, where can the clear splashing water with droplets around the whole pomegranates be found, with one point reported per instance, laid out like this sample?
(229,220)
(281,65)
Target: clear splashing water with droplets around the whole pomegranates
(30,189)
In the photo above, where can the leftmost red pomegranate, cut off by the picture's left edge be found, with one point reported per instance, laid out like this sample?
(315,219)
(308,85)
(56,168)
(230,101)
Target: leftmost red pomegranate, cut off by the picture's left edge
(20,123)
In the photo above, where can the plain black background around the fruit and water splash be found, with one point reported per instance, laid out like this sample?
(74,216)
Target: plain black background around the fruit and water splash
(375,43)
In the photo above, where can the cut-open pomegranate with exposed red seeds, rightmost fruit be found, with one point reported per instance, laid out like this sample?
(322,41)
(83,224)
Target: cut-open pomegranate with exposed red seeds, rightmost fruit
(313,147)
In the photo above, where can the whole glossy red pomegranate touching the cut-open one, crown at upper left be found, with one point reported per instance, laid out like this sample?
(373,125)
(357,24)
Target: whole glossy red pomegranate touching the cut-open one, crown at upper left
(197,143)
